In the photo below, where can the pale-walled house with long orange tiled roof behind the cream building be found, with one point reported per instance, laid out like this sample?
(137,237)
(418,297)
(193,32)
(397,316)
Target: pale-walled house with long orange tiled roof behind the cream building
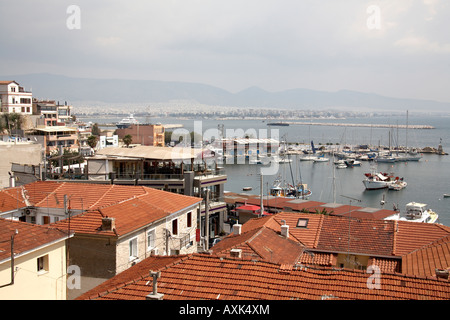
(113,227)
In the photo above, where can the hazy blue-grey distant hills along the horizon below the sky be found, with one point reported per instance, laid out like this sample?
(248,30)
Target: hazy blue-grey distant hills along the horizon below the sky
(62,88)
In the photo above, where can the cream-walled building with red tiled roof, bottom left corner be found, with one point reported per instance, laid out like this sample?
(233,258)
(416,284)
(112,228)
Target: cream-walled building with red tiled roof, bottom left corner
(37,267)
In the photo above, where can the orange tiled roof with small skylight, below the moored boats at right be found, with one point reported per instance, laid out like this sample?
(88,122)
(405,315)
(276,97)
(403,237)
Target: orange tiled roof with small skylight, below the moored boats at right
(367,236)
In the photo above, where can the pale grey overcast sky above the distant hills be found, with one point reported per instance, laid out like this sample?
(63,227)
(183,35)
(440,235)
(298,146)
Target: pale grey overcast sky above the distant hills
(398,48)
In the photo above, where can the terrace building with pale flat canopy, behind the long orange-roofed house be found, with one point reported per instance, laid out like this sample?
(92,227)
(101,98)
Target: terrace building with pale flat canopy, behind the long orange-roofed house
(178,170)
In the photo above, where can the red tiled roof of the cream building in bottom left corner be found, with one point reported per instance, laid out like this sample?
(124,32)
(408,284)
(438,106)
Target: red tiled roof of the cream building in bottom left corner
(29,237)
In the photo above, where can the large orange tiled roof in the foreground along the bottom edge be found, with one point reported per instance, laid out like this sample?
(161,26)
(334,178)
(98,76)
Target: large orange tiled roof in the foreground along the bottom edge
(211,277)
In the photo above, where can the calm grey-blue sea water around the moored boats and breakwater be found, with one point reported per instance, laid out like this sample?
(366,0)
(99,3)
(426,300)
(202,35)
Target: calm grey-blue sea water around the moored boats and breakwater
(428,179)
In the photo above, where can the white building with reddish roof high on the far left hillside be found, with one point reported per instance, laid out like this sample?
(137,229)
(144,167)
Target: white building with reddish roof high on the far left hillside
(15,99)
